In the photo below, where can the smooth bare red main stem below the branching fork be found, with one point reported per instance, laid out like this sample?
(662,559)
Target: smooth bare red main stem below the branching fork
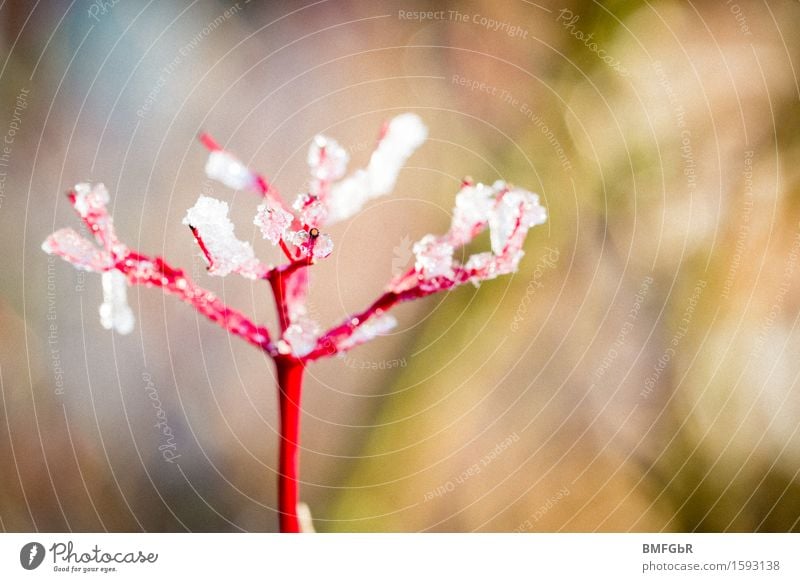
(290,382)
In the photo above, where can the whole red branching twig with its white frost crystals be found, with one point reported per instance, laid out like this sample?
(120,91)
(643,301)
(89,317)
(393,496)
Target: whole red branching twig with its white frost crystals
(506,211)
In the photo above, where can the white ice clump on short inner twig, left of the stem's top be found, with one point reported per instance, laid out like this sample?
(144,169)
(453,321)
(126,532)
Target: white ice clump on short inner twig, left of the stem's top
(209,217)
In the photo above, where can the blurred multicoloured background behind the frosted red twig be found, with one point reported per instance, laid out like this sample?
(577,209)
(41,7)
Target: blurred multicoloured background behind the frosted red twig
(639,373)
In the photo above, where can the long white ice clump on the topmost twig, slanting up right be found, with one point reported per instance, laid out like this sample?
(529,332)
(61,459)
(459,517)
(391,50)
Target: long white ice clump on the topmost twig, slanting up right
(404,134)
